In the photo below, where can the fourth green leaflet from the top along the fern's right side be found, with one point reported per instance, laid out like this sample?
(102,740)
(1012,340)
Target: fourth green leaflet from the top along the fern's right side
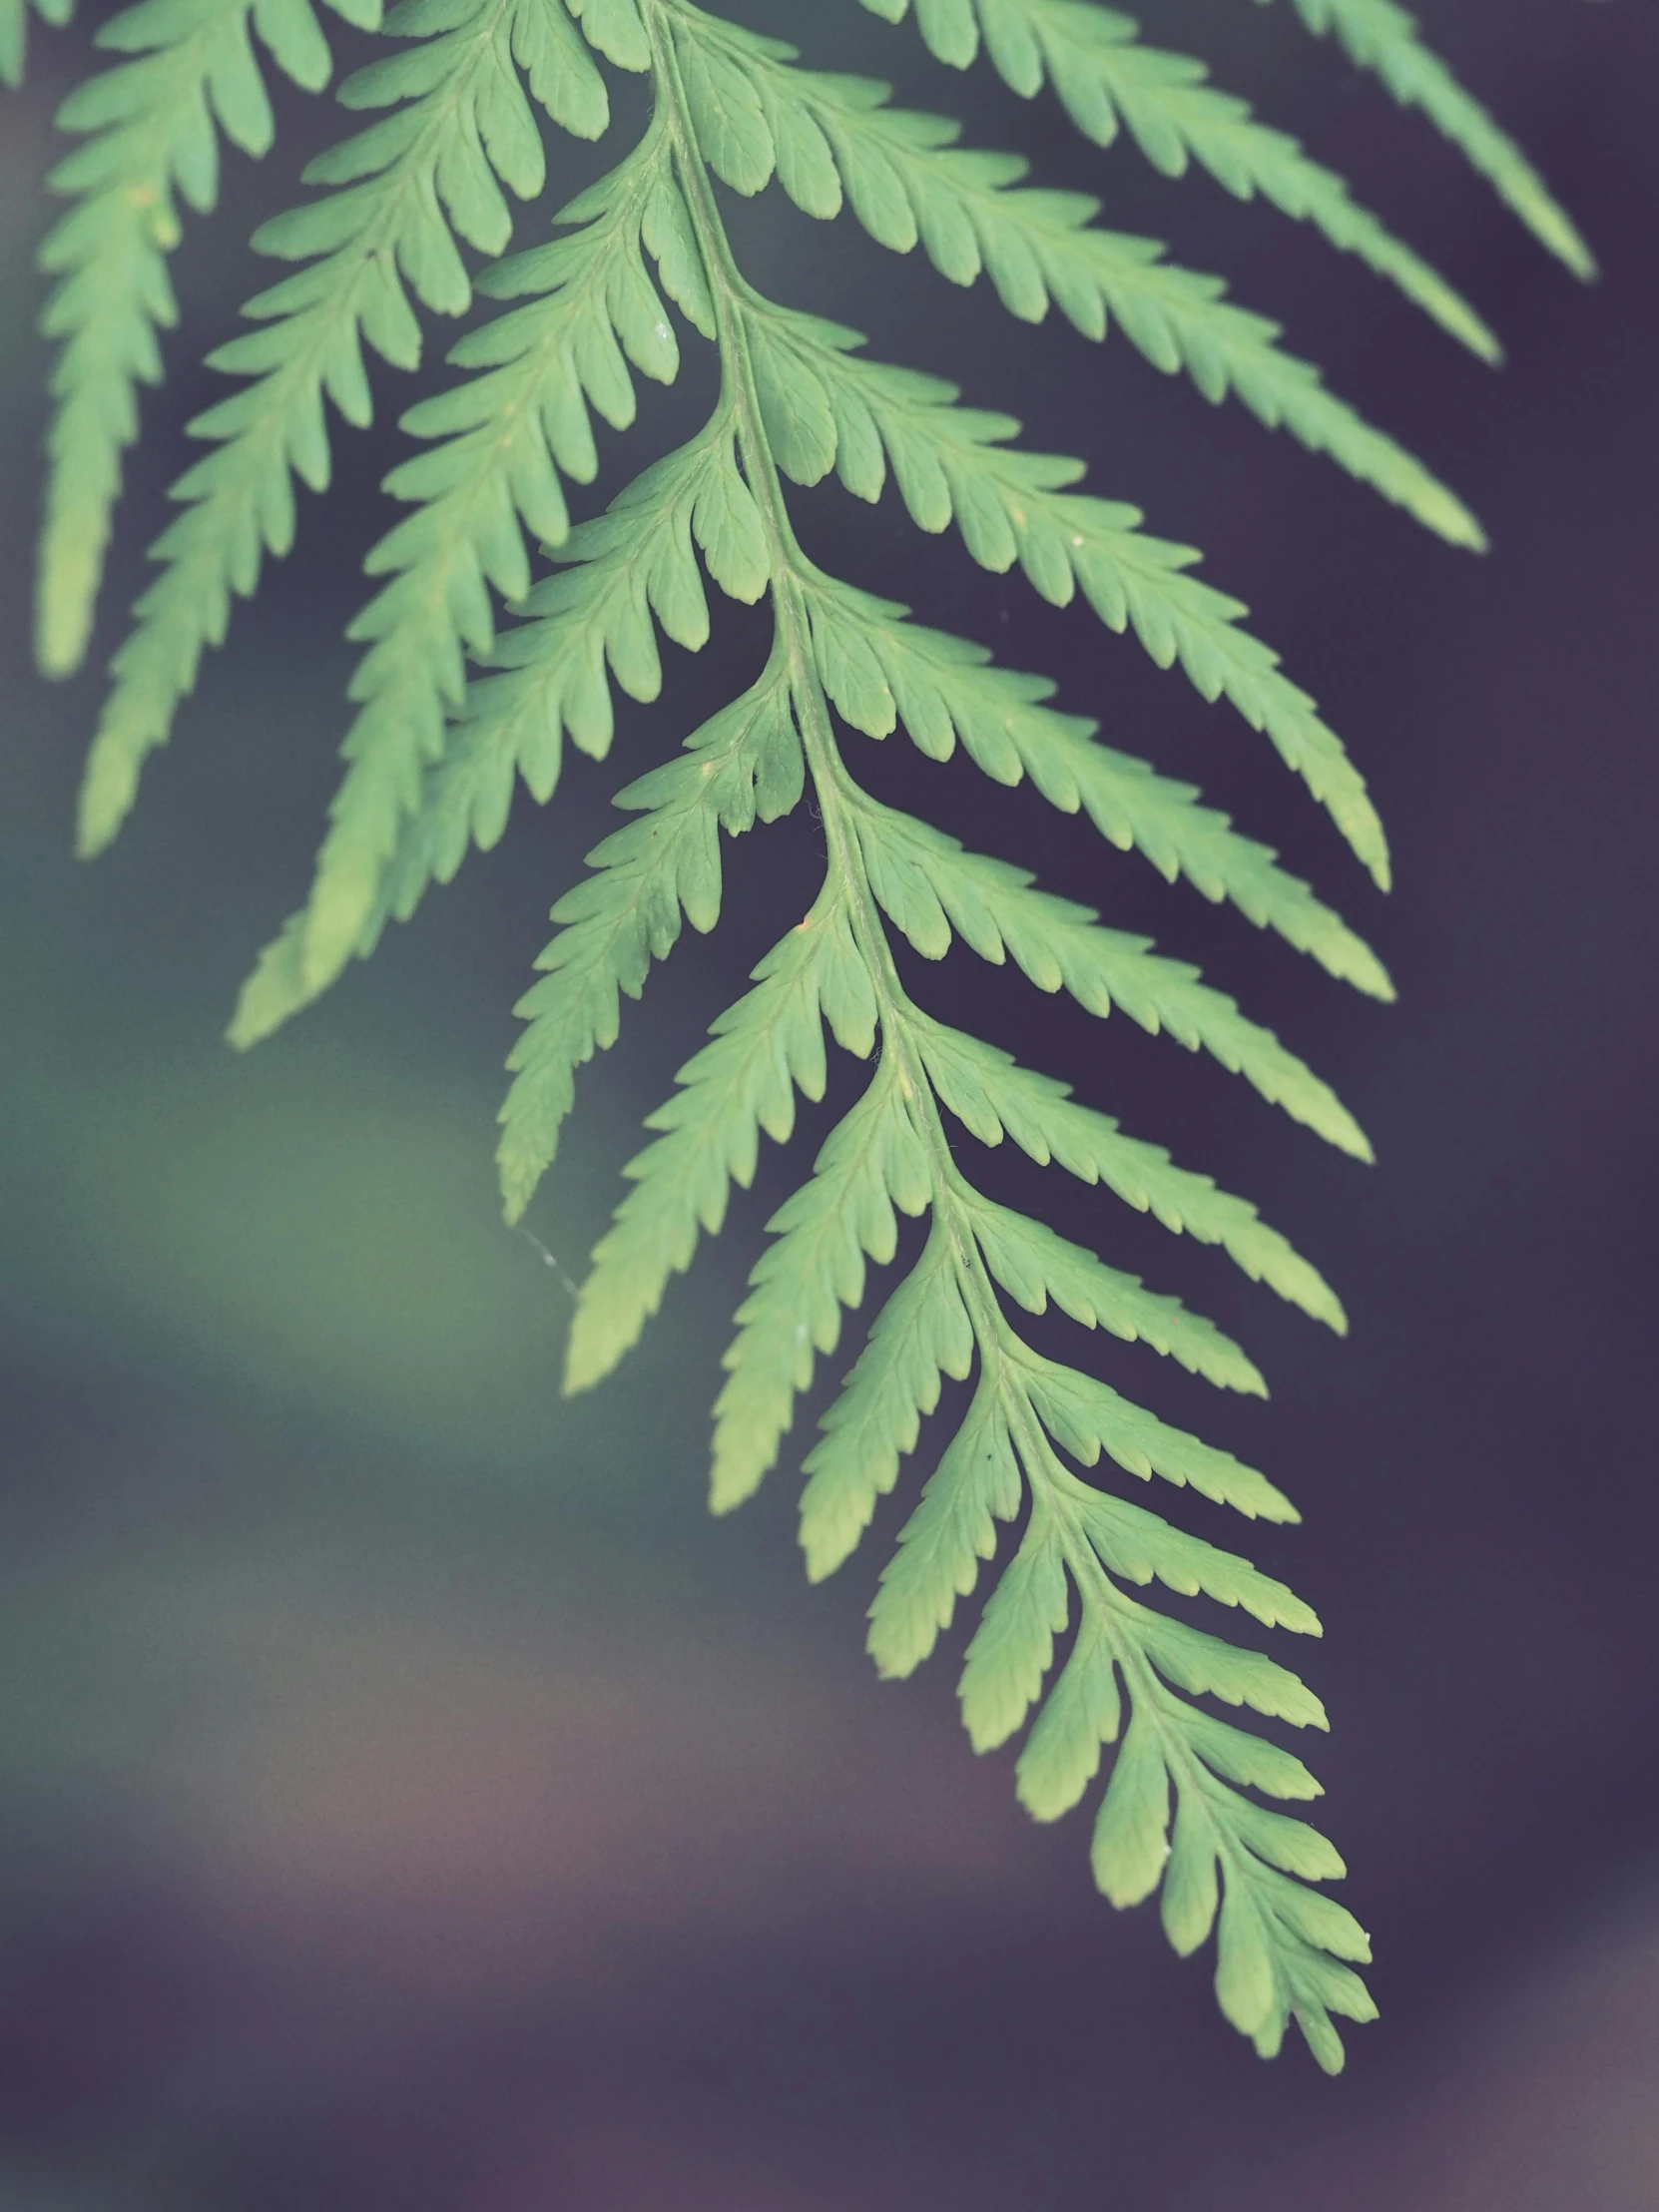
(954,466)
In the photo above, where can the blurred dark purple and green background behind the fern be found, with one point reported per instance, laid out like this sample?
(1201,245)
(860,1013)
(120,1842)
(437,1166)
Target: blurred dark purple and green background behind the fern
(408,1795)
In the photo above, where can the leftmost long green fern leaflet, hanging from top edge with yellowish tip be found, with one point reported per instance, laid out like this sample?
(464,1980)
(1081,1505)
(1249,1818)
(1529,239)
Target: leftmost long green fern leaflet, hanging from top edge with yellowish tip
(152,132)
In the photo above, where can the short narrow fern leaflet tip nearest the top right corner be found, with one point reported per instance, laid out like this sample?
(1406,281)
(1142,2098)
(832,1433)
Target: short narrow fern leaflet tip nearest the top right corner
(1384,39)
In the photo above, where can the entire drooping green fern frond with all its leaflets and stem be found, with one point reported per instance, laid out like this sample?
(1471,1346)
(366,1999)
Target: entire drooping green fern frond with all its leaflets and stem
(474,674)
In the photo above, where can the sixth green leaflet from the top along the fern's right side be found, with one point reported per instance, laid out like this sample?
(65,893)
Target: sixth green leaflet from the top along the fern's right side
(932,890)
